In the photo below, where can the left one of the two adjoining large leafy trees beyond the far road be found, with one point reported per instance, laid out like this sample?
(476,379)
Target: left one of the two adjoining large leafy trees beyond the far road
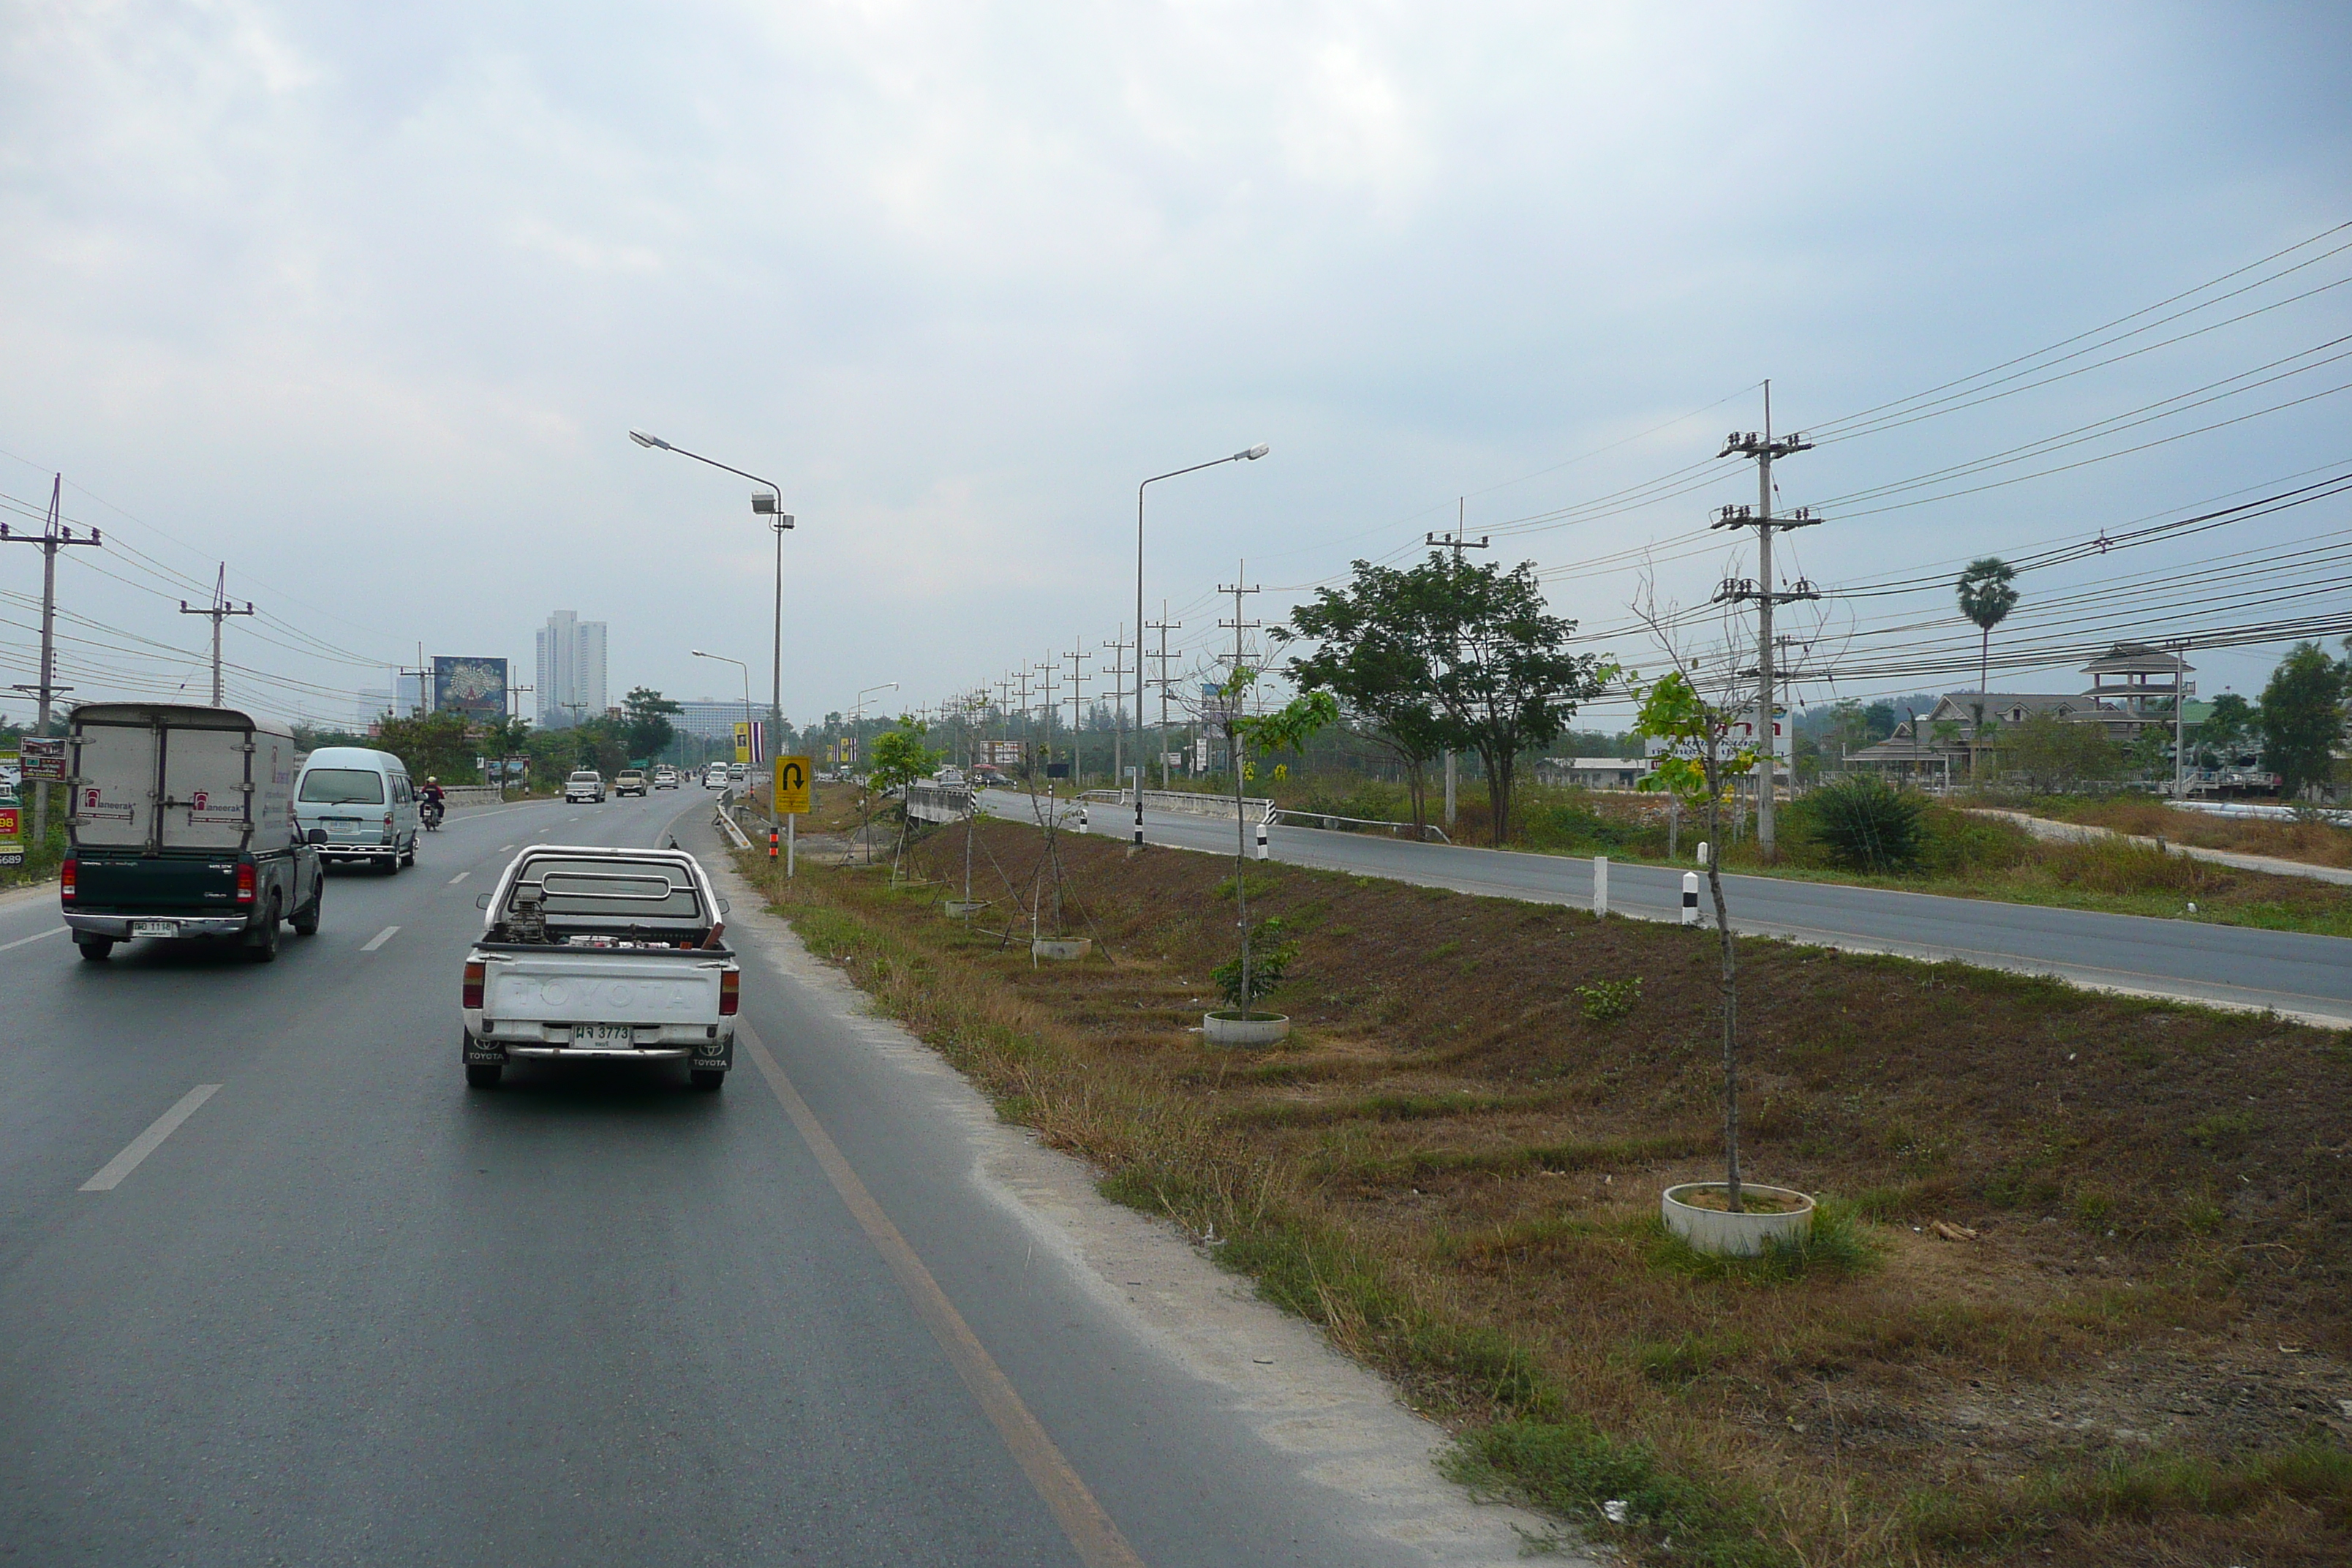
(1375,669)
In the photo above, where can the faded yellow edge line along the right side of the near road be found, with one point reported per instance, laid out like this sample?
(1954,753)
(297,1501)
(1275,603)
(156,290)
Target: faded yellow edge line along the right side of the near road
(1083,1520)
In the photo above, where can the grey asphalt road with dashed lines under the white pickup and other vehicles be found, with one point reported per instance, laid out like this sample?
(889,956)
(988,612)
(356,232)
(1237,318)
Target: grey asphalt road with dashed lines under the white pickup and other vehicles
(352,1313)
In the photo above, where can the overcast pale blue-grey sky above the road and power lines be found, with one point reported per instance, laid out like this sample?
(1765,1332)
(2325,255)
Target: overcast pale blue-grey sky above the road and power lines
(366,300)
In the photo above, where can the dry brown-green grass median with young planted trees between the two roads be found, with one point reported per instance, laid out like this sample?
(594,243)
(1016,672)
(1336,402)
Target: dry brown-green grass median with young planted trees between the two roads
(1455,1170)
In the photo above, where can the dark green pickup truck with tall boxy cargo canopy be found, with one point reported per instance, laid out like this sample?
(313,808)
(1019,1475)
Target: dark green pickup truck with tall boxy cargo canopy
(182,824)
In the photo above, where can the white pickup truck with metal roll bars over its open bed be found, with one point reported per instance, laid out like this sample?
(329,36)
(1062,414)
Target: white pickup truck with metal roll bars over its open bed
(601,956)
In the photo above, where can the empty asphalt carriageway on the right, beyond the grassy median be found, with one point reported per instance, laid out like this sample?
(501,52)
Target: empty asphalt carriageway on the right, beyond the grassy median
(2167,958)
